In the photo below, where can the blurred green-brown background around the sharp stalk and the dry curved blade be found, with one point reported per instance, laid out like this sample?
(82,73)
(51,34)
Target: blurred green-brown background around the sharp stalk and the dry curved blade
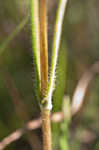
(79,51)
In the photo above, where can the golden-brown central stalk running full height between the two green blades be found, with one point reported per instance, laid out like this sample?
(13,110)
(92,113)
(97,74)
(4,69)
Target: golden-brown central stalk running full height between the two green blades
(46,125)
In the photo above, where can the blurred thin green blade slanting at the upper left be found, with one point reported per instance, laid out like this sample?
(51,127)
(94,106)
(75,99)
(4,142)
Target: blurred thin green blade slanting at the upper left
(13,35)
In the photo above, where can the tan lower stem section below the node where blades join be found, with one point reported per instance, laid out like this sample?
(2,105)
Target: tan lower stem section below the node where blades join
(46,128)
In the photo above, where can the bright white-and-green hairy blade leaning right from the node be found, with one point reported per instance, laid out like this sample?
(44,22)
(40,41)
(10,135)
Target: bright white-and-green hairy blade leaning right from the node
(55,49)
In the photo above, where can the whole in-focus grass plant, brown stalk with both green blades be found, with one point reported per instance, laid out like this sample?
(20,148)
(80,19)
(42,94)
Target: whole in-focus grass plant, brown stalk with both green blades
(45,87)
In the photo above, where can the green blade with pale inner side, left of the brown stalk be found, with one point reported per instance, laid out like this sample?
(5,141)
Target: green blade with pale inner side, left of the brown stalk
(34,12)
